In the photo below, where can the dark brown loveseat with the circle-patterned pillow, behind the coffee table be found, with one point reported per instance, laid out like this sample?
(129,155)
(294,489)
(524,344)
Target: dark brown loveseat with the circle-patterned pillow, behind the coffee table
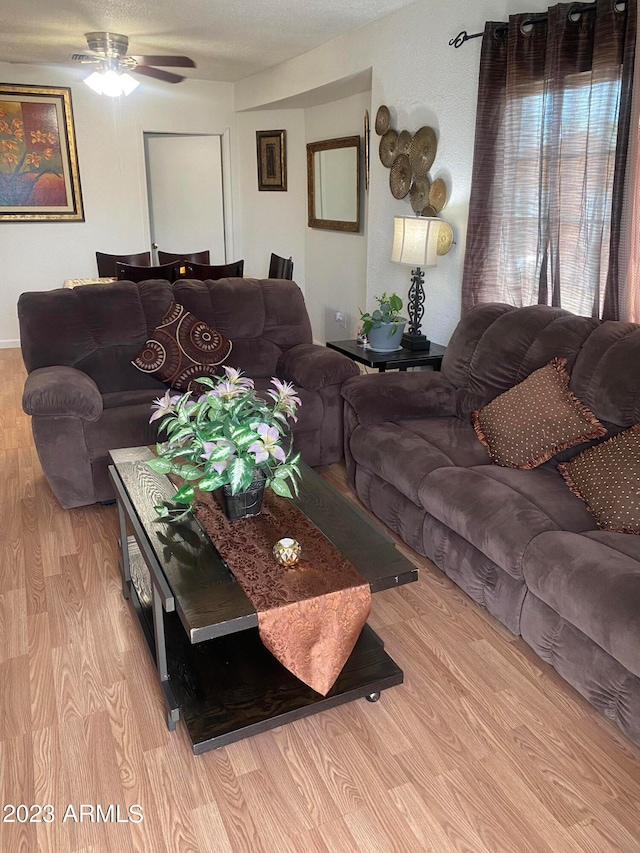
(86,398)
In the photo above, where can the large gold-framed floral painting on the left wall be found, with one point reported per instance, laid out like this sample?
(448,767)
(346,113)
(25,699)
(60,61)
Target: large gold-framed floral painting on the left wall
(39,177)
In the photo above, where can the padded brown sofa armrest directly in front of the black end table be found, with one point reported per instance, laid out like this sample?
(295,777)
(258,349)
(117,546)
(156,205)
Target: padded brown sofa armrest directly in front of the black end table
(380,397)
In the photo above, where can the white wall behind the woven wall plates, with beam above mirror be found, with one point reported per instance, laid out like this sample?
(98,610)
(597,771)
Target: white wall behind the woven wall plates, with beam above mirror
(424,81)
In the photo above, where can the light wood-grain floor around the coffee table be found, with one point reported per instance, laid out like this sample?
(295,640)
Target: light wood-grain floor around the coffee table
(483,748)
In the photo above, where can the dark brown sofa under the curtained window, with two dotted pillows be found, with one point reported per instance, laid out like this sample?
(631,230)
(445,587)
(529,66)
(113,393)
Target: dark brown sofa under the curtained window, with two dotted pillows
(519,542)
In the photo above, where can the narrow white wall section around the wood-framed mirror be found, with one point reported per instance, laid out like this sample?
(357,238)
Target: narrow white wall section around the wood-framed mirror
(336,261)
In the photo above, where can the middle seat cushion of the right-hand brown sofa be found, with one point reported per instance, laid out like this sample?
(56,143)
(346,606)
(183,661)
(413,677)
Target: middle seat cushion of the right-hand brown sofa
(501,510)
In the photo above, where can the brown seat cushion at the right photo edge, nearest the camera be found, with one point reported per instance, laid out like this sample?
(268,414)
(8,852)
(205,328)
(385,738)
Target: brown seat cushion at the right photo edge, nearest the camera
(592,586)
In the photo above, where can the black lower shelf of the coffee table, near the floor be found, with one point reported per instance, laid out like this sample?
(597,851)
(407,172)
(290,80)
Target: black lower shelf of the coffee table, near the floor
(231,687)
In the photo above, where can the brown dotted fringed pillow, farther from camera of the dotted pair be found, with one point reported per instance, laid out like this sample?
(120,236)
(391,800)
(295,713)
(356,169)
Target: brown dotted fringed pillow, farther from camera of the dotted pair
(535,419)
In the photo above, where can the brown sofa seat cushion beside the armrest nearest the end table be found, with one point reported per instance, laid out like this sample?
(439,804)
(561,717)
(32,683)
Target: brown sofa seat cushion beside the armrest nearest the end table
(404,453)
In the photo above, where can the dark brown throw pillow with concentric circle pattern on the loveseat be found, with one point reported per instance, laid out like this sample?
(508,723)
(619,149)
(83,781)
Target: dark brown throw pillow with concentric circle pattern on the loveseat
(181,349)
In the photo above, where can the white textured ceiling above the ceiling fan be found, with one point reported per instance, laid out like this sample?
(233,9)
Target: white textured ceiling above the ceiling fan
(228,40)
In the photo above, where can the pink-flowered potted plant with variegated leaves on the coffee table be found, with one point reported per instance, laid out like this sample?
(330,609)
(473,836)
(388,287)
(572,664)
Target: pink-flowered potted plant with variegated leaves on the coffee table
(228,441)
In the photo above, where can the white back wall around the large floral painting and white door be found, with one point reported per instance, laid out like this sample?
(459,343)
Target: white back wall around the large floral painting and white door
(40,255)
